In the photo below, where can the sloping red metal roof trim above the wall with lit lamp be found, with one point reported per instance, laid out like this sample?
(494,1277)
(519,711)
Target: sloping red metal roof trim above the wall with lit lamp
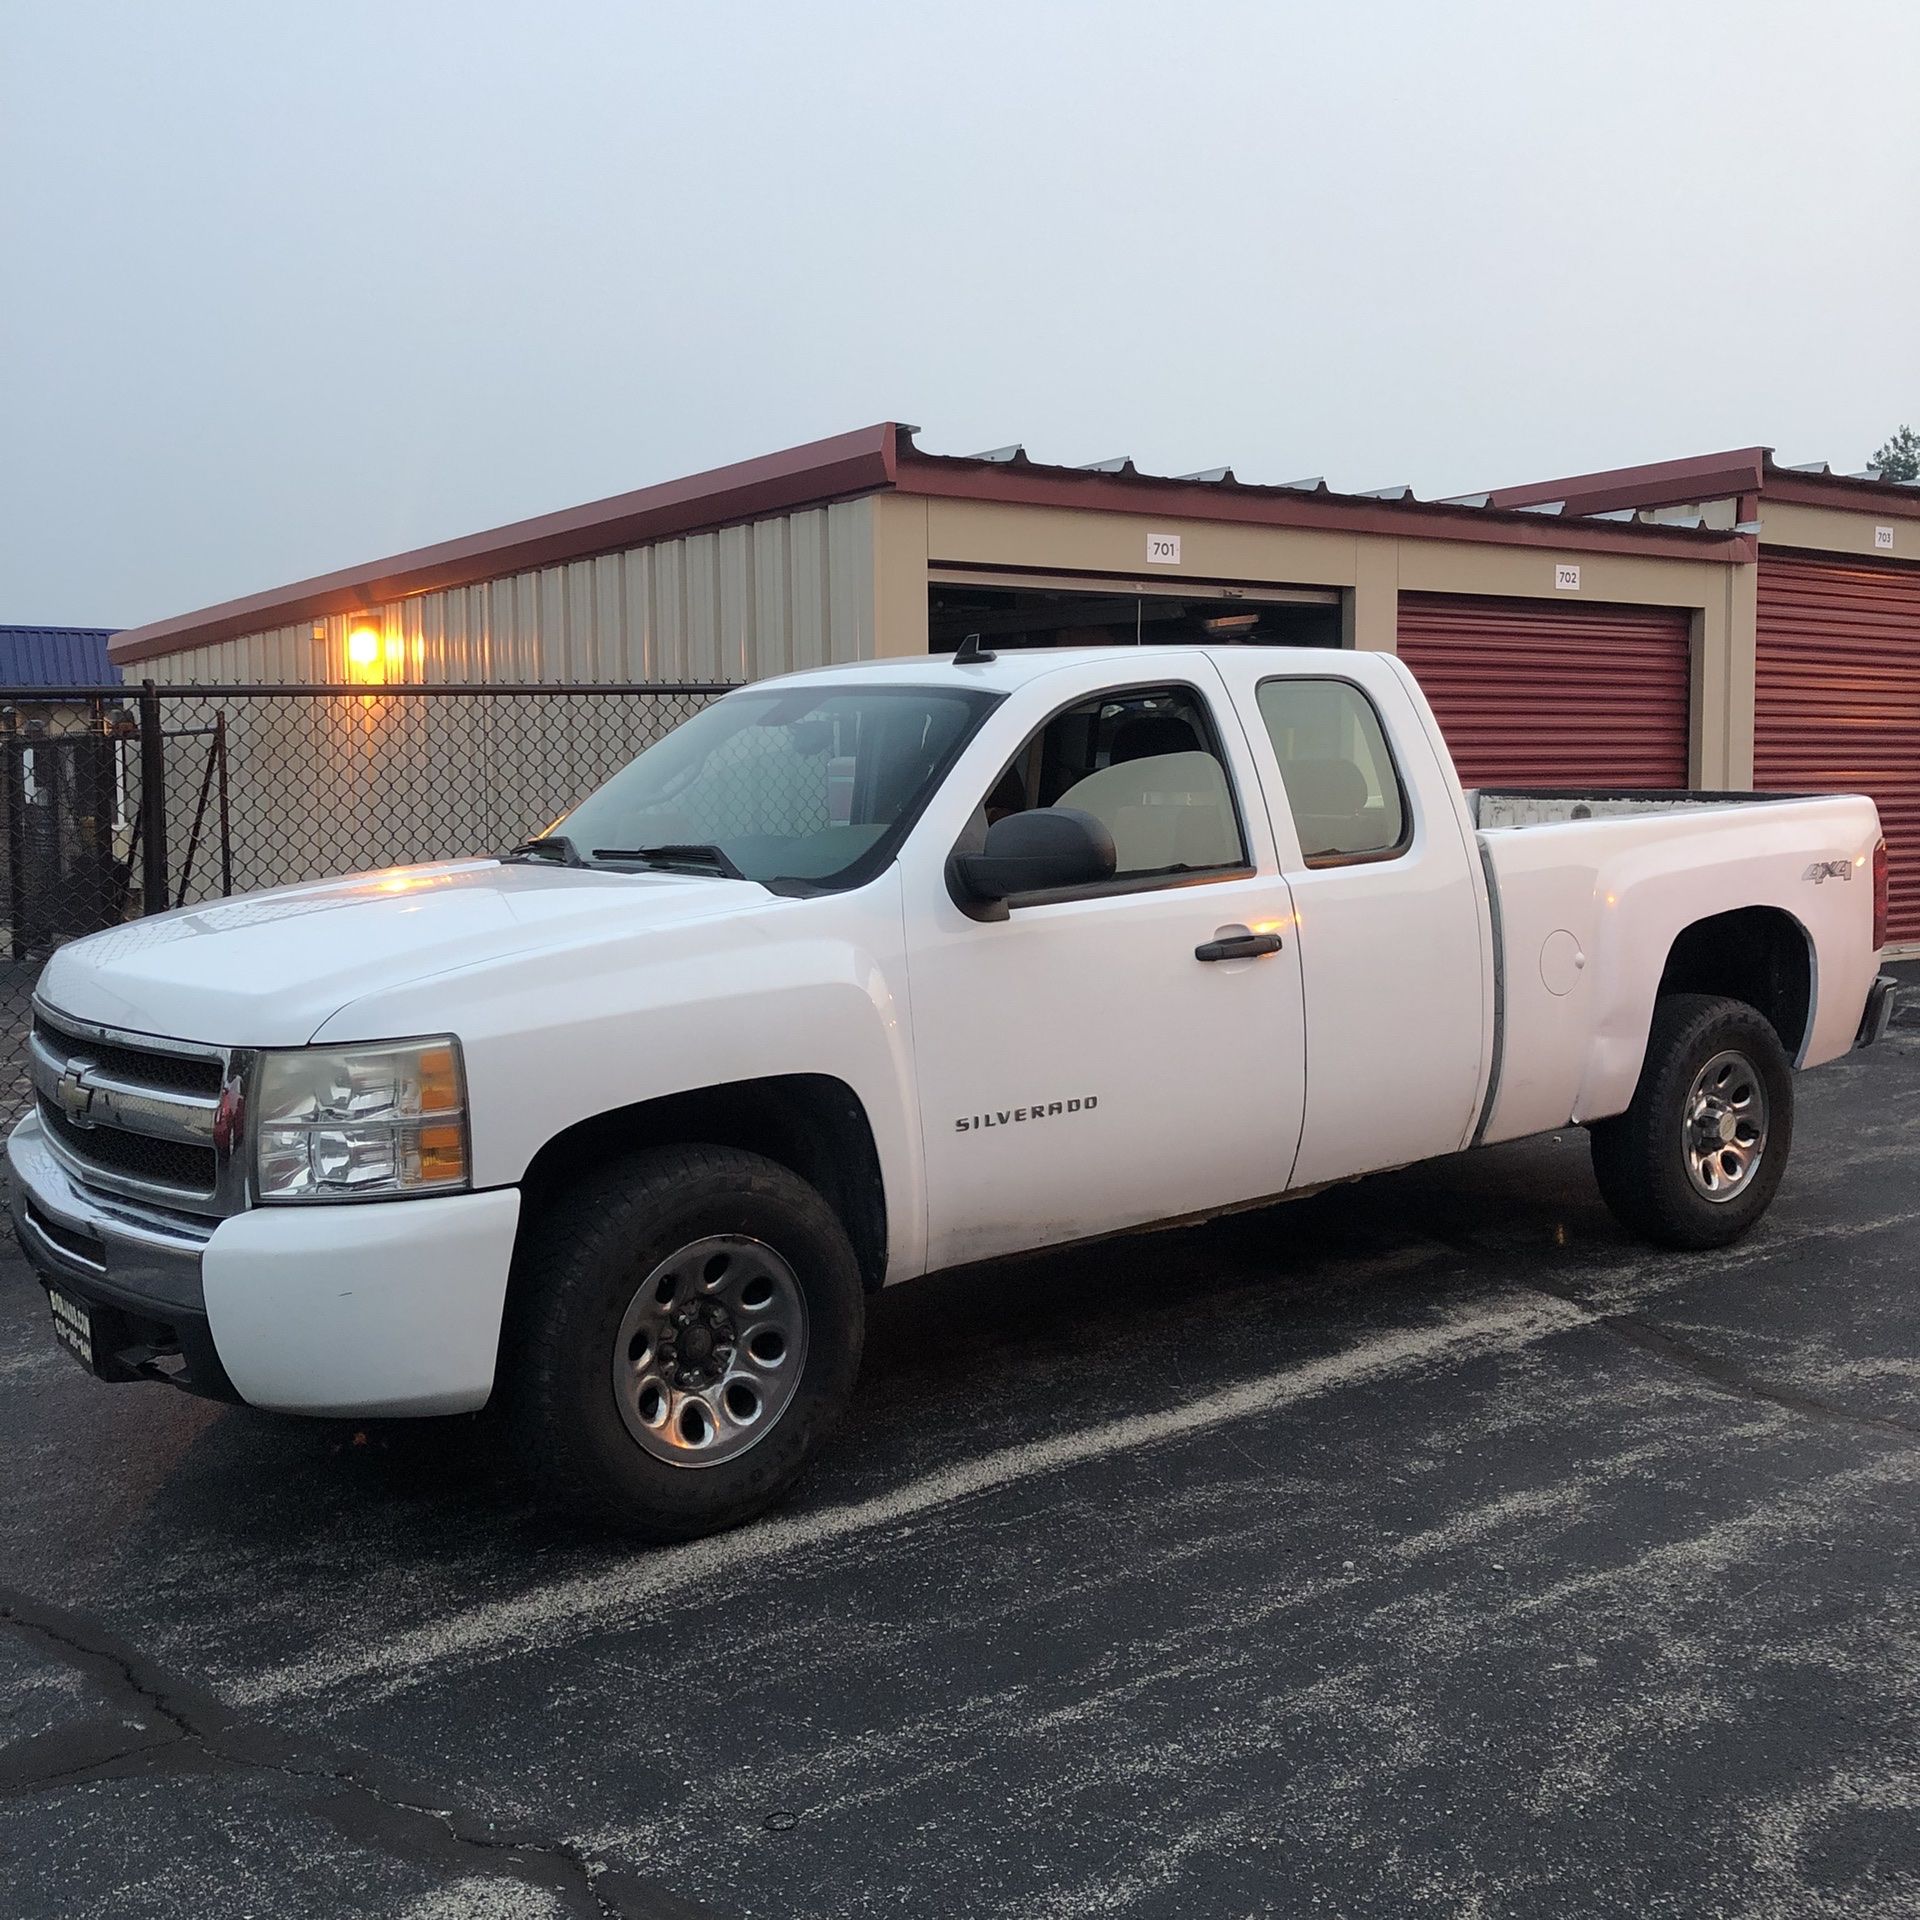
(779,483)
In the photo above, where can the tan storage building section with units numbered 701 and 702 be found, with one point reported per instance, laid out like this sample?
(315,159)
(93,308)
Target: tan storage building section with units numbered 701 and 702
(1602,635)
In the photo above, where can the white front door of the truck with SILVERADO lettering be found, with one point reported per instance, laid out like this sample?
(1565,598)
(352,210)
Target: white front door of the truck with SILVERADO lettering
(1090,1061)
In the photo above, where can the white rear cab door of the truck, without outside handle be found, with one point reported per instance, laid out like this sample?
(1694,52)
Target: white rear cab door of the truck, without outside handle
(1389,907)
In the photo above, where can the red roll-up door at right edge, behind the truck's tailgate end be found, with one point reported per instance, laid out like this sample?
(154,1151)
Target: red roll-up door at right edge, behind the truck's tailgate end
(1836,700)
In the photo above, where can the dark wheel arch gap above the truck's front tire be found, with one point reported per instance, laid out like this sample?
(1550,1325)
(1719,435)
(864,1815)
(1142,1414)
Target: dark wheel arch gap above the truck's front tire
(811,1124)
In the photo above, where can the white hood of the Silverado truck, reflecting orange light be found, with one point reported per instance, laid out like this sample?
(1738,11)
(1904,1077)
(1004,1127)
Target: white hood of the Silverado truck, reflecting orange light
(272,969)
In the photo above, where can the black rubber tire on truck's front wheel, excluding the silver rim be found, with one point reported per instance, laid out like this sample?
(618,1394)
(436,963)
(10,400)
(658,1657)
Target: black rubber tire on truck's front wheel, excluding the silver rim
(583,1264)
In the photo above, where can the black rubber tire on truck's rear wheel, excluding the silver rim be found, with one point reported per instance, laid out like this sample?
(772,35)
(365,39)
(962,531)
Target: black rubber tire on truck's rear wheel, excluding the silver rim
(1641,1159)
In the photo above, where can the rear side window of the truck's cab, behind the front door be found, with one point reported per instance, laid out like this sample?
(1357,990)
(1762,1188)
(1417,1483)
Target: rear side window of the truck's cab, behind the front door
(1343,788)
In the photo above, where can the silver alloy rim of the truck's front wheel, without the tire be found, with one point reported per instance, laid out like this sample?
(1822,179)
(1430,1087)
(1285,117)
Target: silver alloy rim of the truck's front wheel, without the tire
(711,1351)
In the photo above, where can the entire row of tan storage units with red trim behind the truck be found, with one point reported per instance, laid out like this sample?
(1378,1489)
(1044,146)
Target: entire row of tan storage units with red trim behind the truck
(1710,623)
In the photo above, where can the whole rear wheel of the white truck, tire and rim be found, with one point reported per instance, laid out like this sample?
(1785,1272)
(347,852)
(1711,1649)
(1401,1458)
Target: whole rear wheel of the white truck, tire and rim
(1696,1161)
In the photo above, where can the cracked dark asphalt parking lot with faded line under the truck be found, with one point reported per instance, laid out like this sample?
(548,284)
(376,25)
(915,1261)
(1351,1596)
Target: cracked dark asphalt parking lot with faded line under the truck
(1424,1548)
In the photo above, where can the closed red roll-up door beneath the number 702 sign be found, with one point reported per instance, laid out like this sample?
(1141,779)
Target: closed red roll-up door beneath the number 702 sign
(1543,694)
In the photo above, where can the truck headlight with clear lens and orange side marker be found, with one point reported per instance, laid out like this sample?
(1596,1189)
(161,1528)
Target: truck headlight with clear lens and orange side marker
(347,1122)
